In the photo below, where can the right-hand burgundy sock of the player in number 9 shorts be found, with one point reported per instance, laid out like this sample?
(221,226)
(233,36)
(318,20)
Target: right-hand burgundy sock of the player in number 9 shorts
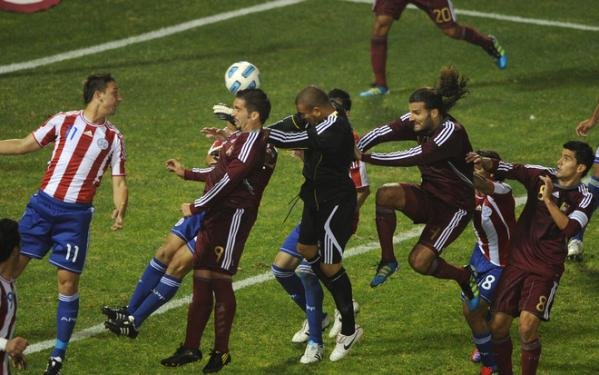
(224,312)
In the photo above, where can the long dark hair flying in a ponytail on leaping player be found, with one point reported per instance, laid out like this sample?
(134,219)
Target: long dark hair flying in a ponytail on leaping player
(450,88)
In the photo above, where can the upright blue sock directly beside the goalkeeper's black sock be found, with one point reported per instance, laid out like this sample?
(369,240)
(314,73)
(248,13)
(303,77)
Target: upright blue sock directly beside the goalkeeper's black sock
(314,298)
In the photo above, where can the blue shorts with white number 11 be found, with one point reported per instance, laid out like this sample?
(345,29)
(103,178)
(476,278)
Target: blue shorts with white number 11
(49,223)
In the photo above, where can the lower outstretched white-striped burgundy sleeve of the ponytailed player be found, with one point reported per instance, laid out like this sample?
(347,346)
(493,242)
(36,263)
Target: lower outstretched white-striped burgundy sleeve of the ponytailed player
(446,144)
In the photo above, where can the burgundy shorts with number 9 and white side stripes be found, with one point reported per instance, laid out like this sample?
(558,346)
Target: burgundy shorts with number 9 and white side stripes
(221,239)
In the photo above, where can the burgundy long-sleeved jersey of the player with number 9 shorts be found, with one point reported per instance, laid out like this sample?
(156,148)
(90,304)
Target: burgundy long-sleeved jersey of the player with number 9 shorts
(239,177)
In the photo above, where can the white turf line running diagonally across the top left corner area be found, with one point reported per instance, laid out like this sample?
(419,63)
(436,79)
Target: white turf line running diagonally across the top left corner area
(160,33)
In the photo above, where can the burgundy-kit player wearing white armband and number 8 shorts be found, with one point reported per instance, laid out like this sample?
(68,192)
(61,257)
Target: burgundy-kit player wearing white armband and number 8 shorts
(557,206)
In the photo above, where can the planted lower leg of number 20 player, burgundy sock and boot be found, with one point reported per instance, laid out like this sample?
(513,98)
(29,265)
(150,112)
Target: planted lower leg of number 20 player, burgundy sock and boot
(378,55)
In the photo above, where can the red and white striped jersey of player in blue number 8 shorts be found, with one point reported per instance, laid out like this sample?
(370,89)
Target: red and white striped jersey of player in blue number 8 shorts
(494,223)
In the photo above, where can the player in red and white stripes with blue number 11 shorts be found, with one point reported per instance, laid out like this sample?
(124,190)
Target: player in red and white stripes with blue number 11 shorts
(58,216)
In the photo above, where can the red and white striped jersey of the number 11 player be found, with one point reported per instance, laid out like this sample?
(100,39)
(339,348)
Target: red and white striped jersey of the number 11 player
(82,152)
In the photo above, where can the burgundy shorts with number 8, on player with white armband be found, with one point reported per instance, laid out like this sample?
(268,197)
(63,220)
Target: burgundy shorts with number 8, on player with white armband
(520,290)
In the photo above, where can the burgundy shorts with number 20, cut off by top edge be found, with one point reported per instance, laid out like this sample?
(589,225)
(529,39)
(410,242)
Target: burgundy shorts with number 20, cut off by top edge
(439,11)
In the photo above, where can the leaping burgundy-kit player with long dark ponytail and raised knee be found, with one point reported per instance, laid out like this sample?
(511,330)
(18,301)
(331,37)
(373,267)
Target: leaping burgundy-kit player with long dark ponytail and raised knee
(444,200)
